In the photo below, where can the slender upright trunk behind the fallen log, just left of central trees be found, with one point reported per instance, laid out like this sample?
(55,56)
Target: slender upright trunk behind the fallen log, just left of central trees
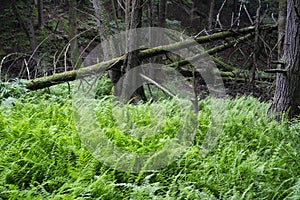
(75,53)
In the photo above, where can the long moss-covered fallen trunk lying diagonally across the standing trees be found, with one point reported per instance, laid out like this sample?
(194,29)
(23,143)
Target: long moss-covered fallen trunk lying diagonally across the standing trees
(116,63)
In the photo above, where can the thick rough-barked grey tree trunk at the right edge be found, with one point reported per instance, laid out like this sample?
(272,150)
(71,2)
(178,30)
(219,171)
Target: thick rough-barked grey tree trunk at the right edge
(287,95)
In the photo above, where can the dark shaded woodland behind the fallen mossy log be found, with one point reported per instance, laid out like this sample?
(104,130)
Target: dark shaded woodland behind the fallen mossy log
(37,43)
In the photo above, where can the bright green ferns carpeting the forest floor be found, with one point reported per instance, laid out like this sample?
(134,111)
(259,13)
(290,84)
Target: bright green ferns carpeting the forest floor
(42,157)
